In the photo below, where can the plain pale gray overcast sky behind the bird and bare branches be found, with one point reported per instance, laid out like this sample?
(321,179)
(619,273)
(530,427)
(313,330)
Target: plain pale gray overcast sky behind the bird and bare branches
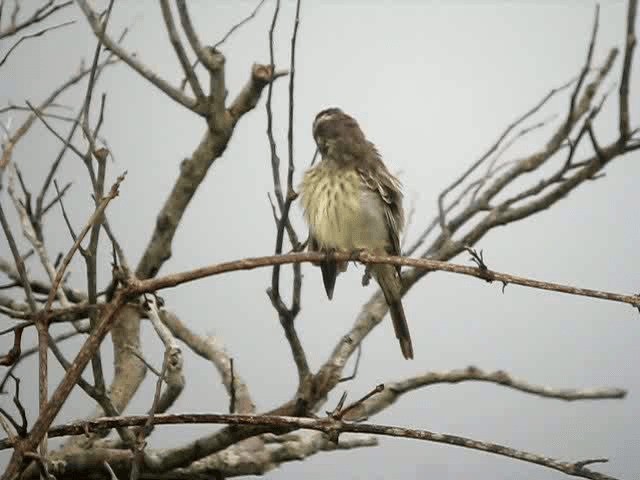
(432,85)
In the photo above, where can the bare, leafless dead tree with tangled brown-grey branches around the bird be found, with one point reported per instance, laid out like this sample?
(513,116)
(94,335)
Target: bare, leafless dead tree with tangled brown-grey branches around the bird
(482,198)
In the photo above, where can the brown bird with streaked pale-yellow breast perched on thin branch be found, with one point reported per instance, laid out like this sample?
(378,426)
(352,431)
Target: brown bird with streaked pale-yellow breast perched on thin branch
(351,202)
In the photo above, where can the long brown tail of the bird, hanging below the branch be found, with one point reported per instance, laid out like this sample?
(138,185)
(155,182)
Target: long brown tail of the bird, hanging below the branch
(388,278)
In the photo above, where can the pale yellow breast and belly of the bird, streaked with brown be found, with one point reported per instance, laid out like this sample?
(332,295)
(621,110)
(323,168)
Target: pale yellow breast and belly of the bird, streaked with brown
(342,214)
